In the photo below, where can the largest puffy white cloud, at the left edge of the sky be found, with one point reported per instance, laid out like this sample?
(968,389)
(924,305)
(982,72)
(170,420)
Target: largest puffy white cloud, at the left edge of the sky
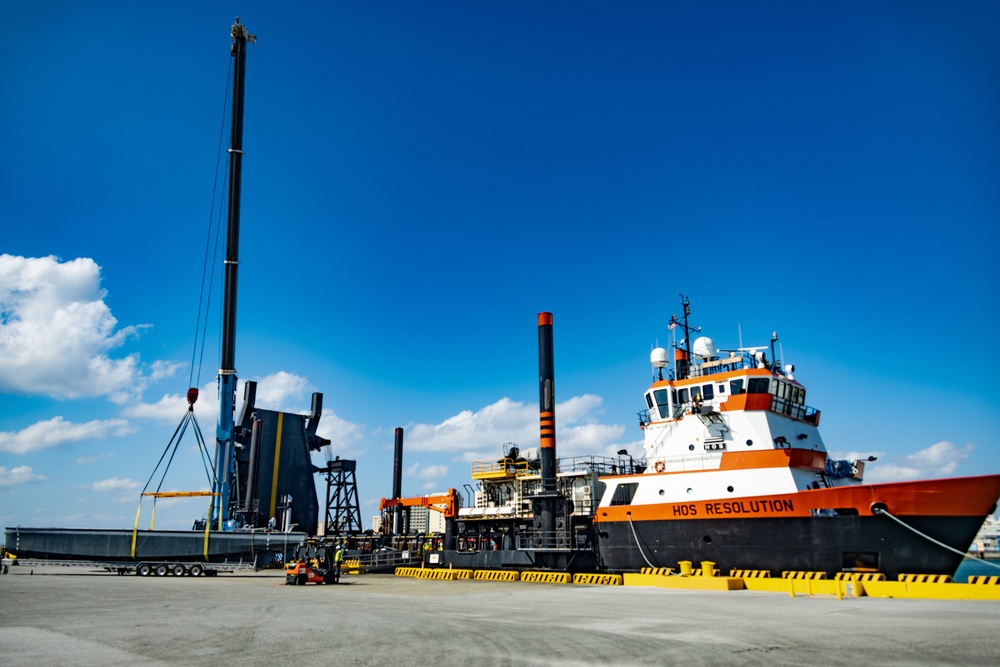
(56,332)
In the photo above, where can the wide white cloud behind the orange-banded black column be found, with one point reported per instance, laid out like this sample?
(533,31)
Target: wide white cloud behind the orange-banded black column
(481,434)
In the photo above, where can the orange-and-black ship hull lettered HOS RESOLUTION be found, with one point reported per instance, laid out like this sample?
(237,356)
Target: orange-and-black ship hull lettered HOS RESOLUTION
(828,529)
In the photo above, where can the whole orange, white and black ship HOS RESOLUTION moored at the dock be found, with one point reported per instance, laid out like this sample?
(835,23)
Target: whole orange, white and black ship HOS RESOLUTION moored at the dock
(733,471)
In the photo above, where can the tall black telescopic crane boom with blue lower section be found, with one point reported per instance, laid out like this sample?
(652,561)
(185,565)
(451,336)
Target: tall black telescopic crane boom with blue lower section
(224,454)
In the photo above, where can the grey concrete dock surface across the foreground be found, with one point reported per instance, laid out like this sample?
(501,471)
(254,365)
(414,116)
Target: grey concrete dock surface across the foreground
(77,616)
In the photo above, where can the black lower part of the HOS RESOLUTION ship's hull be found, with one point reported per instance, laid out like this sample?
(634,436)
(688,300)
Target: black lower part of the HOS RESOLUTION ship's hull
(815,544)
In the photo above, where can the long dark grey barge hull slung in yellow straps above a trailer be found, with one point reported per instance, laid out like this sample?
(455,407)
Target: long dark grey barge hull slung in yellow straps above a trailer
(261,547)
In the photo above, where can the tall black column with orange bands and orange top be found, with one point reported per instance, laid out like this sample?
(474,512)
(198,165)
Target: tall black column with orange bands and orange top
(547,428)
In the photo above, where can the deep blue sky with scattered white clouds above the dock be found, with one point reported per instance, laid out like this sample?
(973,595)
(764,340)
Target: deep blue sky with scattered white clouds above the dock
(421,179)
